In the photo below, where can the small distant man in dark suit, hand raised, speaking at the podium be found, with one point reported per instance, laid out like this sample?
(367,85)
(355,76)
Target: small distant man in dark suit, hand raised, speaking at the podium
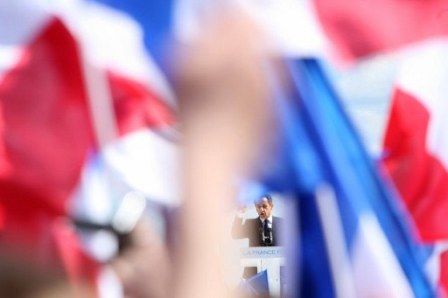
(261,231)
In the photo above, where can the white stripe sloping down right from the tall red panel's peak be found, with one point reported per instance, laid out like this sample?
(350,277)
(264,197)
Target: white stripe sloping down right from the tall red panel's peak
(115,41)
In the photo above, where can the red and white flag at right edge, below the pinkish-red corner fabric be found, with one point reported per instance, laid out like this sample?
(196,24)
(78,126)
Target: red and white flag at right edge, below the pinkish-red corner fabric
(415,143)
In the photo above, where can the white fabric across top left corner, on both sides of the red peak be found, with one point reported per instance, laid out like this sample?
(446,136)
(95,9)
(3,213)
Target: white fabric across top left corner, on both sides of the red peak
(113,39)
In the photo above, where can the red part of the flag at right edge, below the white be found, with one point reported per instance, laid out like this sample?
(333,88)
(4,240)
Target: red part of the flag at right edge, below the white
(420,177)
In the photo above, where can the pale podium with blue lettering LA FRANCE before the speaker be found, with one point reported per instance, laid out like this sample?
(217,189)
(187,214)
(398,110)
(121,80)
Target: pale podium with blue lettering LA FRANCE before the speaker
(270,258)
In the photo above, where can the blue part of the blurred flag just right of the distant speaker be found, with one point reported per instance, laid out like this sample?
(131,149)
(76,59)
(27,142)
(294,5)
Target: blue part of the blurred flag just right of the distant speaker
(319,146)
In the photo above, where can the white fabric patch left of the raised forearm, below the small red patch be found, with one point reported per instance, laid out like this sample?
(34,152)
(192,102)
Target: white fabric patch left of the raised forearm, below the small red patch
(141,161)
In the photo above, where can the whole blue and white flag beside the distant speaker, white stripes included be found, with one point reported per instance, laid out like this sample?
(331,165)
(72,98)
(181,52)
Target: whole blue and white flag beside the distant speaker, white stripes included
(354,239)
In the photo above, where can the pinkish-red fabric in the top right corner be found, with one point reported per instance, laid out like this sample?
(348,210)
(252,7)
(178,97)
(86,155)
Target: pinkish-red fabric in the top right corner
(359,28)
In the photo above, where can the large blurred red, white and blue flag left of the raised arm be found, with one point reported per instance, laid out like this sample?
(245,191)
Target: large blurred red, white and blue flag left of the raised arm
(86,116)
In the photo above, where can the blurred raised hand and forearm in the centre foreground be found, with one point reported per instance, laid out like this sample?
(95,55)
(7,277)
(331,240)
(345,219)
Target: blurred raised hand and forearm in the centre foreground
(222,88)
